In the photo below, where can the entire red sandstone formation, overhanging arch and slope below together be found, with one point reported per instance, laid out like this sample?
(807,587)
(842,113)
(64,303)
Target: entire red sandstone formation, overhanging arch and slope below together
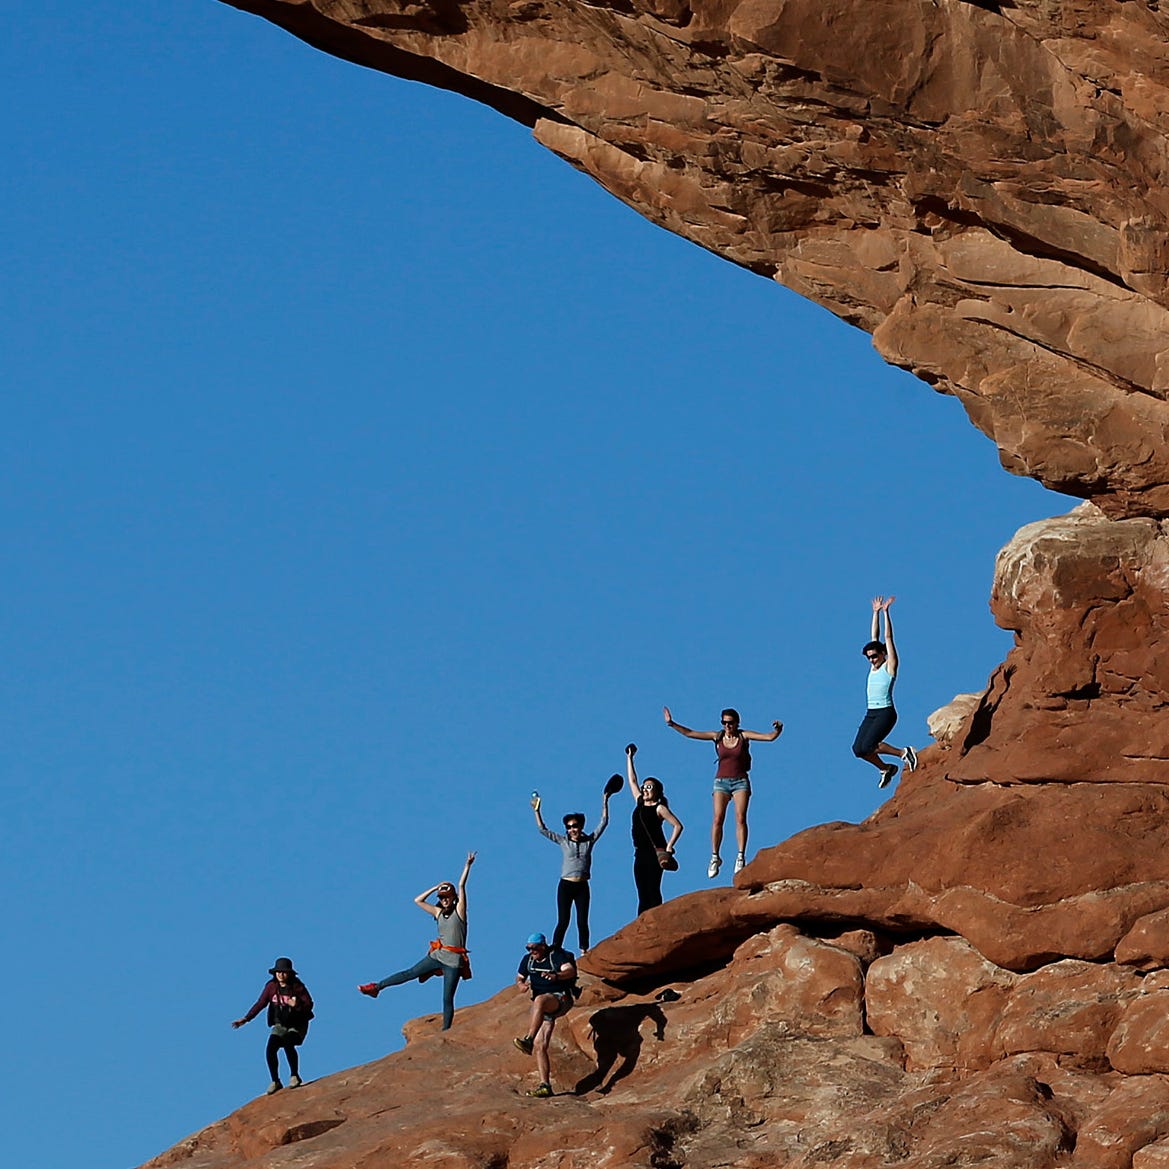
(977,976)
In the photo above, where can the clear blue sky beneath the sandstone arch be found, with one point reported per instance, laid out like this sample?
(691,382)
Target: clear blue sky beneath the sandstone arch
(364,468)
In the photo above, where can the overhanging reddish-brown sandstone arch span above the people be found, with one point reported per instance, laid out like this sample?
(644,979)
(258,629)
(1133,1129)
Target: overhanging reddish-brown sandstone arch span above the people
(980,186)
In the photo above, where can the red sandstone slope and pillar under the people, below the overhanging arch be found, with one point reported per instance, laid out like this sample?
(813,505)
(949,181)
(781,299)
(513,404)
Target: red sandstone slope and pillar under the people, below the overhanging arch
(976,976)
